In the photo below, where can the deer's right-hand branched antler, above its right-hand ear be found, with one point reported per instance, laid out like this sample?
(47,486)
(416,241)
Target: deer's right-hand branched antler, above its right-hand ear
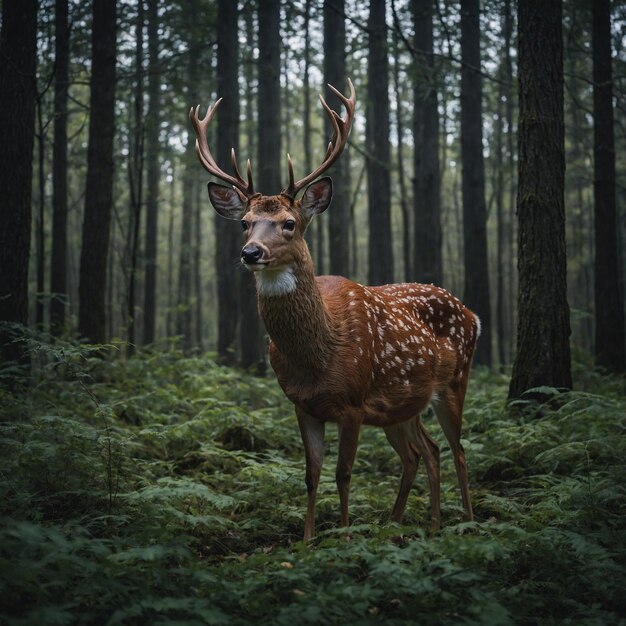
(341,130)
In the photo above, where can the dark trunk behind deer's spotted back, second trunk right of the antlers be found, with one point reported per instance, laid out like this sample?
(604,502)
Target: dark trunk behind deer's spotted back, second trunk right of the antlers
(427,185)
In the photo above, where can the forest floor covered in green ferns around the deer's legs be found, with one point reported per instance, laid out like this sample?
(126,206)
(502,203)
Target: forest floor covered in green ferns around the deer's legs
(170,490)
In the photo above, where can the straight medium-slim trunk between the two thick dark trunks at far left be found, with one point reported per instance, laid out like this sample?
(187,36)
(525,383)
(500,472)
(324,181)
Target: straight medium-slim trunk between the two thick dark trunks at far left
(58,263)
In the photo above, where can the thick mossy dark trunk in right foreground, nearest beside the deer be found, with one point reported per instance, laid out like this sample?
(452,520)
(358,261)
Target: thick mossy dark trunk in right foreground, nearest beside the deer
(543,354)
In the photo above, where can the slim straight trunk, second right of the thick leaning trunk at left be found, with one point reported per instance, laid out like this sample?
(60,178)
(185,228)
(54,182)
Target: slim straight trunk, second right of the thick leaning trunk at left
(153,146)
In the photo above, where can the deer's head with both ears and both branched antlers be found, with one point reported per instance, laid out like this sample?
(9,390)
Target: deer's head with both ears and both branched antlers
(274,226)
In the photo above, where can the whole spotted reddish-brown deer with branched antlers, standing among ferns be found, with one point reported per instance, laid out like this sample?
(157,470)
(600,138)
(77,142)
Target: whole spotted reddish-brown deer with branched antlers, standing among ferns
(344,352)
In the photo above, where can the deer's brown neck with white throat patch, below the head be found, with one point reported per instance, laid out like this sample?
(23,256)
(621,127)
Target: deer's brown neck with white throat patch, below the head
(295,316)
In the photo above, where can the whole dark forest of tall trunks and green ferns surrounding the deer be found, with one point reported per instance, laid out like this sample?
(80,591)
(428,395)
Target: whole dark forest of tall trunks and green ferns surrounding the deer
(152,471)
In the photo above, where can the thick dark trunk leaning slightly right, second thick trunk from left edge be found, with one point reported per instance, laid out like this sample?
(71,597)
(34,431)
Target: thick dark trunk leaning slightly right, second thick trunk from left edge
(99,185)
